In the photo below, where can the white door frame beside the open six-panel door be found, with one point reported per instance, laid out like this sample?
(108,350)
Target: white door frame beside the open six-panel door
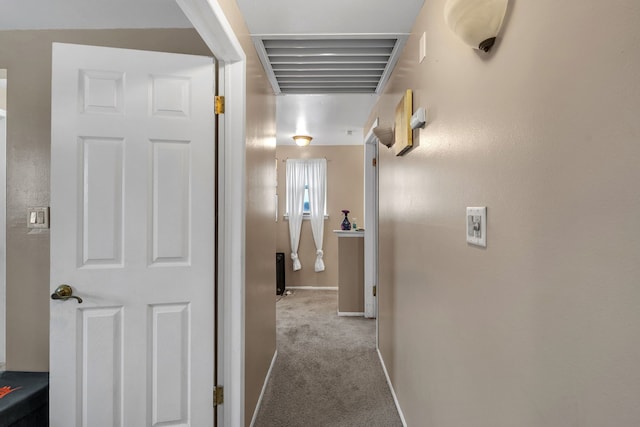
(209,20)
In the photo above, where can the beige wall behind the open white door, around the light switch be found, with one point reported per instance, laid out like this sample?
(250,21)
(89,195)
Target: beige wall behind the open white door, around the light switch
(27,57)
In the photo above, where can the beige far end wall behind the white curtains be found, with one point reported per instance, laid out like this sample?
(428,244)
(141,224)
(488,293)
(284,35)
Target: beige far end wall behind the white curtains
(345,190)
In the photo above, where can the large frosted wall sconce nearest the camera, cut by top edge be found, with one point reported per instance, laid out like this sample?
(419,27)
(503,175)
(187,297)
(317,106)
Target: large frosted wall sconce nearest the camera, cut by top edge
(476,22)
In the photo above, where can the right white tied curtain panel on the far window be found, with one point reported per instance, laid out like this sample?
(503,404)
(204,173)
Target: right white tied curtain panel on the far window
(317,181)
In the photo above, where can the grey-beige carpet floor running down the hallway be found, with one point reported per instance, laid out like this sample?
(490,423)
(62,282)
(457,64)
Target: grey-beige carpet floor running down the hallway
(327,373)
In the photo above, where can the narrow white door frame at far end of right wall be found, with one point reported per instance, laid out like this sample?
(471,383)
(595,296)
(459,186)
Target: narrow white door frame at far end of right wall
(371,223)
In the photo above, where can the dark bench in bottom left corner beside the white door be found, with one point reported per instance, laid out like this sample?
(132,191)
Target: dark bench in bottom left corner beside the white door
(24,399)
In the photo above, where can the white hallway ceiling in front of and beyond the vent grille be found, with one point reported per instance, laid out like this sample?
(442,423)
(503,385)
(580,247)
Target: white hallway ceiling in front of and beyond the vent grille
(327,118)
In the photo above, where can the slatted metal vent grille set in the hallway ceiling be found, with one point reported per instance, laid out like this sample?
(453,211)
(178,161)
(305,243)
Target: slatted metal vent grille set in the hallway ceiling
(329,65)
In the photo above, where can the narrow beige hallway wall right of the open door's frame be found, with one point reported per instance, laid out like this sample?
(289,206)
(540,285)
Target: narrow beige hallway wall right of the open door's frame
(260,293)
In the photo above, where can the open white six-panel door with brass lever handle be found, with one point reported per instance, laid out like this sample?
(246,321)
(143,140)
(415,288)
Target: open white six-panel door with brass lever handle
(132,232)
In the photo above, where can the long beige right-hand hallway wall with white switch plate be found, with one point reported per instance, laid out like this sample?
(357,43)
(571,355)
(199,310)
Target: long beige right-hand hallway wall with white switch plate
(542,327)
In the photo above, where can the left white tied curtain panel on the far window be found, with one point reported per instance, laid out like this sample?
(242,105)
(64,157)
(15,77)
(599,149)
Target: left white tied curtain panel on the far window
(296,176)
